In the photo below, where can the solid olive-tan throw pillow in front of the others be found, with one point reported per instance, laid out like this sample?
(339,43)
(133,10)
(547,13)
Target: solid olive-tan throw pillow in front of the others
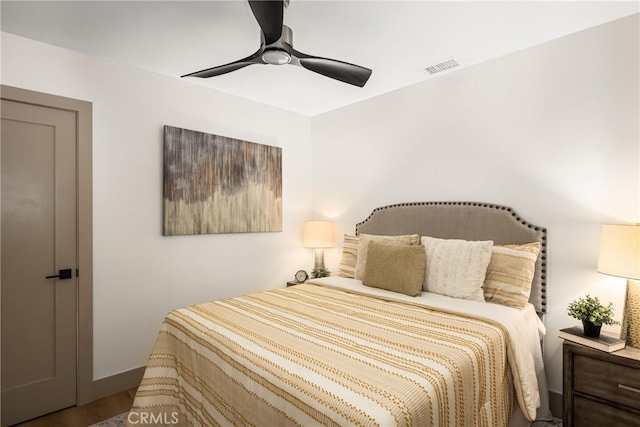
(396,268)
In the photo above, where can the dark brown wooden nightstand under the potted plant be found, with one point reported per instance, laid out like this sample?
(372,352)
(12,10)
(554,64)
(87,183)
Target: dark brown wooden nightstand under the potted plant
(600,388)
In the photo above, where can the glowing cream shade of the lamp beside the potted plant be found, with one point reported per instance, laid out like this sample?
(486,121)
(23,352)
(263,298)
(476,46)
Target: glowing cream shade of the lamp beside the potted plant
(620,251)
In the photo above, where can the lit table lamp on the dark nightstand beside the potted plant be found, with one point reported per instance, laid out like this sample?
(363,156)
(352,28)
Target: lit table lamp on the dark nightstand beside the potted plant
(620,256)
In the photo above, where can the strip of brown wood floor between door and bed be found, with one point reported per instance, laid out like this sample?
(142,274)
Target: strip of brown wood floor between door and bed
(84,416)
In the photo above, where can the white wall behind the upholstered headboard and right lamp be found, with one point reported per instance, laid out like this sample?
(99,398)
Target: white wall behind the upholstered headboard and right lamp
(551,131)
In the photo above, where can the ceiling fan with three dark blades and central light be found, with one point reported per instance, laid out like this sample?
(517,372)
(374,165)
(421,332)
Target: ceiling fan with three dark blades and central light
(276,48)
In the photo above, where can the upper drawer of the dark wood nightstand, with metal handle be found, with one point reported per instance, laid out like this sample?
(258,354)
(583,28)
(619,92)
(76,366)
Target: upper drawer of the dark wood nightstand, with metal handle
(615,383)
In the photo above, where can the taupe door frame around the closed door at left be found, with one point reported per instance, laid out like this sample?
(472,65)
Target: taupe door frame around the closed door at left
(84,193)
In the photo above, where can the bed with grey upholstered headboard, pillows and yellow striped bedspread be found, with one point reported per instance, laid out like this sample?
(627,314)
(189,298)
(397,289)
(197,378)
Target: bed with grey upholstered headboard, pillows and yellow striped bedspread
(365,348)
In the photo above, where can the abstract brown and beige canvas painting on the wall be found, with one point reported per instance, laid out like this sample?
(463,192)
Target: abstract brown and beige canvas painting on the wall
(215,184)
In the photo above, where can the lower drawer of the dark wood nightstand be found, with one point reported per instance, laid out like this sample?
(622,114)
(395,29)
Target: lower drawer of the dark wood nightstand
(587,413)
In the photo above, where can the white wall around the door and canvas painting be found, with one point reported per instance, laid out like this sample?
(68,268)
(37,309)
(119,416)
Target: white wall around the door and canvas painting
(139,275)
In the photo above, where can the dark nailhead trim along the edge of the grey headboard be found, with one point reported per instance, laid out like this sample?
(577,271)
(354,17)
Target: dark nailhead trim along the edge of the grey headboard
(543,249)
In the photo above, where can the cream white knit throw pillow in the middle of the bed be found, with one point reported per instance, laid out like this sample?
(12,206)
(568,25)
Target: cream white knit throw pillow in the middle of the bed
(456,268)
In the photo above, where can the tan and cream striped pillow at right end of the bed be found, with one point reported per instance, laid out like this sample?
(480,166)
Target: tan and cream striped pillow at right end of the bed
(510,273)
